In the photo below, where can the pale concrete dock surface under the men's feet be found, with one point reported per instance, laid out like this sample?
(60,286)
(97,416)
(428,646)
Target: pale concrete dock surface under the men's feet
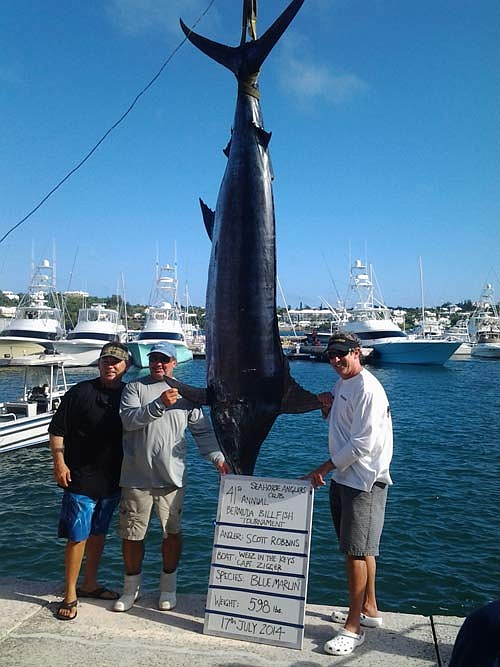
(31,635)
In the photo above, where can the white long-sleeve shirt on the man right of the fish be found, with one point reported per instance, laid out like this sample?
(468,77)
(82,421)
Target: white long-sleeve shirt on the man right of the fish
(360,432)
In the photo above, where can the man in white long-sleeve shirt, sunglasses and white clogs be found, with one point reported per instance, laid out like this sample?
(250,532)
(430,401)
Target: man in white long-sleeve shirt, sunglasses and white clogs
(360,443)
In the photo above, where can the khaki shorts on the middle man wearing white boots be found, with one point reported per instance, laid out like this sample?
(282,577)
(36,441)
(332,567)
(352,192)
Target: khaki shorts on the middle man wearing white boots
(136,506)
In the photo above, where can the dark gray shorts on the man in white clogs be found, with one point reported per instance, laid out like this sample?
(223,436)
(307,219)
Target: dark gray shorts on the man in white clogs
(358,517)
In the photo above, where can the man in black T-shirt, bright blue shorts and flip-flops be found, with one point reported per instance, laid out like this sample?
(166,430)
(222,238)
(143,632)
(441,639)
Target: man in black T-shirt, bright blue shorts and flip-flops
(86,442)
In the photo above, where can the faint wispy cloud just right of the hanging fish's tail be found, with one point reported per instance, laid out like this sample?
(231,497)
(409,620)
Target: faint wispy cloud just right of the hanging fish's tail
(308,80)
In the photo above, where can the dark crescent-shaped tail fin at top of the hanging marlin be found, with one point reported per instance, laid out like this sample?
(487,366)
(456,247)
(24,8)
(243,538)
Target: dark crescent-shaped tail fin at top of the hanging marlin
(245,60)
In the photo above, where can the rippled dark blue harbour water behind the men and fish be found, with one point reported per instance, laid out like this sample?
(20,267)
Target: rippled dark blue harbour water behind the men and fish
(439,551)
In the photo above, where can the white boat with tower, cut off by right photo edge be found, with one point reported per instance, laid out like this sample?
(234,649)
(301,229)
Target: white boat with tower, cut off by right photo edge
(484,326)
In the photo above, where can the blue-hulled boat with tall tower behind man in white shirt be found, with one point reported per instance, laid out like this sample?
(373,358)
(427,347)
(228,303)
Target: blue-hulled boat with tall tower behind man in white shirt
(370,319)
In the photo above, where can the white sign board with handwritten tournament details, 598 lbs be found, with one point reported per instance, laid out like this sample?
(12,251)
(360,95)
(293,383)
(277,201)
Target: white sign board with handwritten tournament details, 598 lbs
(260,560)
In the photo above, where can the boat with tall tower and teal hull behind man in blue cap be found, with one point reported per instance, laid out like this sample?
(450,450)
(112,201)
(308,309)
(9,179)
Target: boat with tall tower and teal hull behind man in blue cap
(163,320)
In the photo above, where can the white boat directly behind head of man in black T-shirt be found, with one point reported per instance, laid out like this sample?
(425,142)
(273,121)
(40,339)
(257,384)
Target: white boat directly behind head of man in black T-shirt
(95,326)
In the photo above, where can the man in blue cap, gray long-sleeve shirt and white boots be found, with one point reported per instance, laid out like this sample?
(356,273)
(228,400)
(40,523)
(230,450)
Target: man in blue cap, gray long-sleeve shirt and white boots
(155,418)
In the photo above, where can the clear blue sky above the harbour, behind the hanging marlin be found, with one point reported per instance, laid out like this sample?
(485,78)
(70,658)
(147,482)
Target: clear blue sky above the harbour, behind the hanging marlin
(385,121)
